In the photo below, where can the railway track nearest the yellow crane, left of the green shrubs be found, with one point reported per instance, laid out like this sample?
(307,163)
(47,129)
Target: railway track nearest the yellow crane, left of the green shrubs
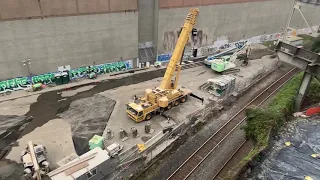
(193,161)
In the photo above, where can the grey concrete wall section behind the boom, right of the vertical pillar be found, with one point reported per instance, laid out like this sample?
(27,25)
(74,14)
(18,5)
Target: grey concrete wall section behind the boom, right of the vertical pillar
(233,21)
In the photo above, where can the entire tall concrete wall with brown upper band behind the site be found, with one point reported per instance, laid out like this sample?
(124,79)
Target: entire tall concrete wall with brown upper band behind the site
(103,37)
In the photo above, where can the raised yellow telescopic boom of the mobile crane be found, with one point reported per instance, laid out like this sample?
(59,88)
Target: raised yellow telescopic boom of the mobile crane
(174,63)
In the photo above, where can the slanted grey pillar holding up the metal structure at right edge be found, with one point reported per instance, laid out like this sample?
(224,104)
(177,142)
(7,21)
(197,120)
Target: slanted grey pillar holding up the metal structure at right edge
(302,90)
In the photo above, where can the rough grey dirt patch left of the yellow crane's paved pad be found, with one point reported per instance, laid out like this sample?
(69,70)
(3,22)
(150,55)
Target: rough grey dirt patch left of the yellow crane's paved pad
(88,117)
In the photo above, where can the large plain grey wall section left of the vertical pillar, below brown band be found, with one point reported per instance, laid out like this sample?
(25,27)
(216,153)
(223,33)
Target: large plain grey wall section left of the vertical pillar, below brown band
(72,40)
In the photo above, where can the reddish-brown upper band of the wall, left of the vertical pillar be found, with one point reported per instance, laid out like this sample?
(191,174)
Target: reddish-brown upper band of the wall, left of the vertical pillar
(25,9)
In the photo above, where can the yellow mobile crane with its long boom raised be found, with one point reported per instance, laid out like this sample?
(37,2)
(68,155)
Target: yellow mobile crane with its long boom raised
(167,94)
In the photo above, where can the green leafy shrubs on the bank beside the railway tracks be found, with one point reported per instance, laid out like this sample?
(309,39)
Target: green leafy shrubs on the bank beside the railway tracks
(261,121)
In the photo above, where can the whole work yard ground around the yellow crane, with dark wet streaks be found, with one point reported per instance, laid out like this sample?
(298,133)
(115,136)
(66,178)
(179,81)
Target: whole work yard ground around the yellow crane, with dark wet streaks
(59,116)
